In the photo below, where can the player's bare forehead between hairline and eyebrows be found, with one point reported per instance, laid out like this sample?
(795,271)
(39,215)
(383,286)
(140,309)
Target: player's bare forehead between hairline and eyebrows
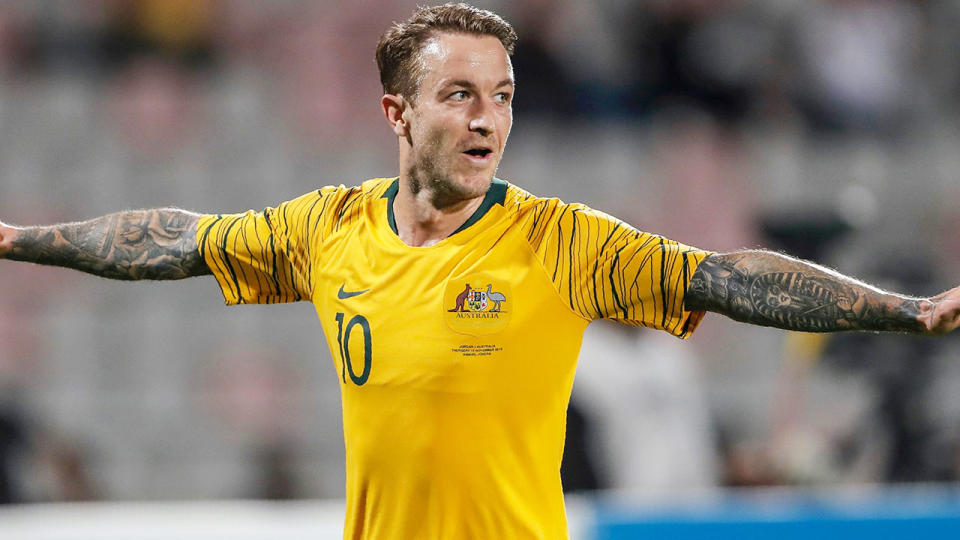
(464,57)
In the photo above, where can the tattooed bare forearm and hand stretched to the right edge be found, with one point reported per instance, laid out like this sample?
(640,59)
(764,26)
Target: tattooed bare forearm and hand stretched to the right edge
(769,289)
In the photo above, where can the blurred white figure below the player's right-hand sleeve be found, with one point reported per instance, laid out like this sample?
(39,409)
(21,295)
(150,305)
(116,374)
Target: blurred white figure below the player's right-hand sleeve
(641,391)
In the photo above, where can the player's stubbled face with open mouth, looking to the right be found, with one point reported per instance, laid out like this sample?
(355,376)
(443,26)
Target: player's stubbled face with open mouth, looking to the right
(459,123)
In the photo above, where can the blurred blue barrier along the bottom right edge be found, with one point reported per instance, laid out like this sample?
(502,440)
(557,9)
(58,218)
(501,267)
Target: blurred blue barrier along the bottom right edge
(781,515)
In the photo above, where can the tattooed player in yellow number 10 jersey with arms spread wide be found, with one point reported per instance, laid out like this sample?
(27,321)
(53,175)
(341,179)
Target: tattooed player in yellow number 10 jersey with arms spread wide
(453,410)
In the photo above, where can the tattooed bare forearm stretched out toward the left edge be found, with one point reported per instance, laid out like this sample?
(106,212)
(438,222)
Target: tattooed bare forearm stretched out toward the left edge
(139,244)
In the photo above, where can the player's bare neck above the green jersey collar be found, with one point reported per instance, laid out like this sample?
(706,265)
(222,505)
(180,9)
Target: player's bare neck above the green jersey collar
(421,223)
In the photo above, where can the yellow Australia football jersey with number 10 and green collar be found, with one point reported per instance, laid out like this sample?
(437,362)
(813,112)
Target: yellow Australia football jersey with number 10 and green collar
(455,361)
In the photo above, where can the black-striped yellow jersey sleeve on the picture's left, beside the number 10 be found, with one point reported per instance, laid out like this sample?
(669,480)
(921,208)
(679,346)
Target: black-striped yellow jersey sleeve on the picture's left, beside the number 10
(265,257)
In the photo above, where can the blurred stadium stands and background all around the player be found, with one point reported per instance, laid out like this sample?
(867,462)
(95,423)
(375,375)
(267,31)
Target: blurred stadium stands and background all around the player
(827,128)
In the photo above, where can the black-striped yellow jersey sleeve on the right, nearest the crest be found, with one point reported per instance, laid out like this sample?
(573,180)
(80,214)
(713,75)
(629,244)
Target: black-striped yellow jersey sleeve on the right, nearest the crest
(605,269)
